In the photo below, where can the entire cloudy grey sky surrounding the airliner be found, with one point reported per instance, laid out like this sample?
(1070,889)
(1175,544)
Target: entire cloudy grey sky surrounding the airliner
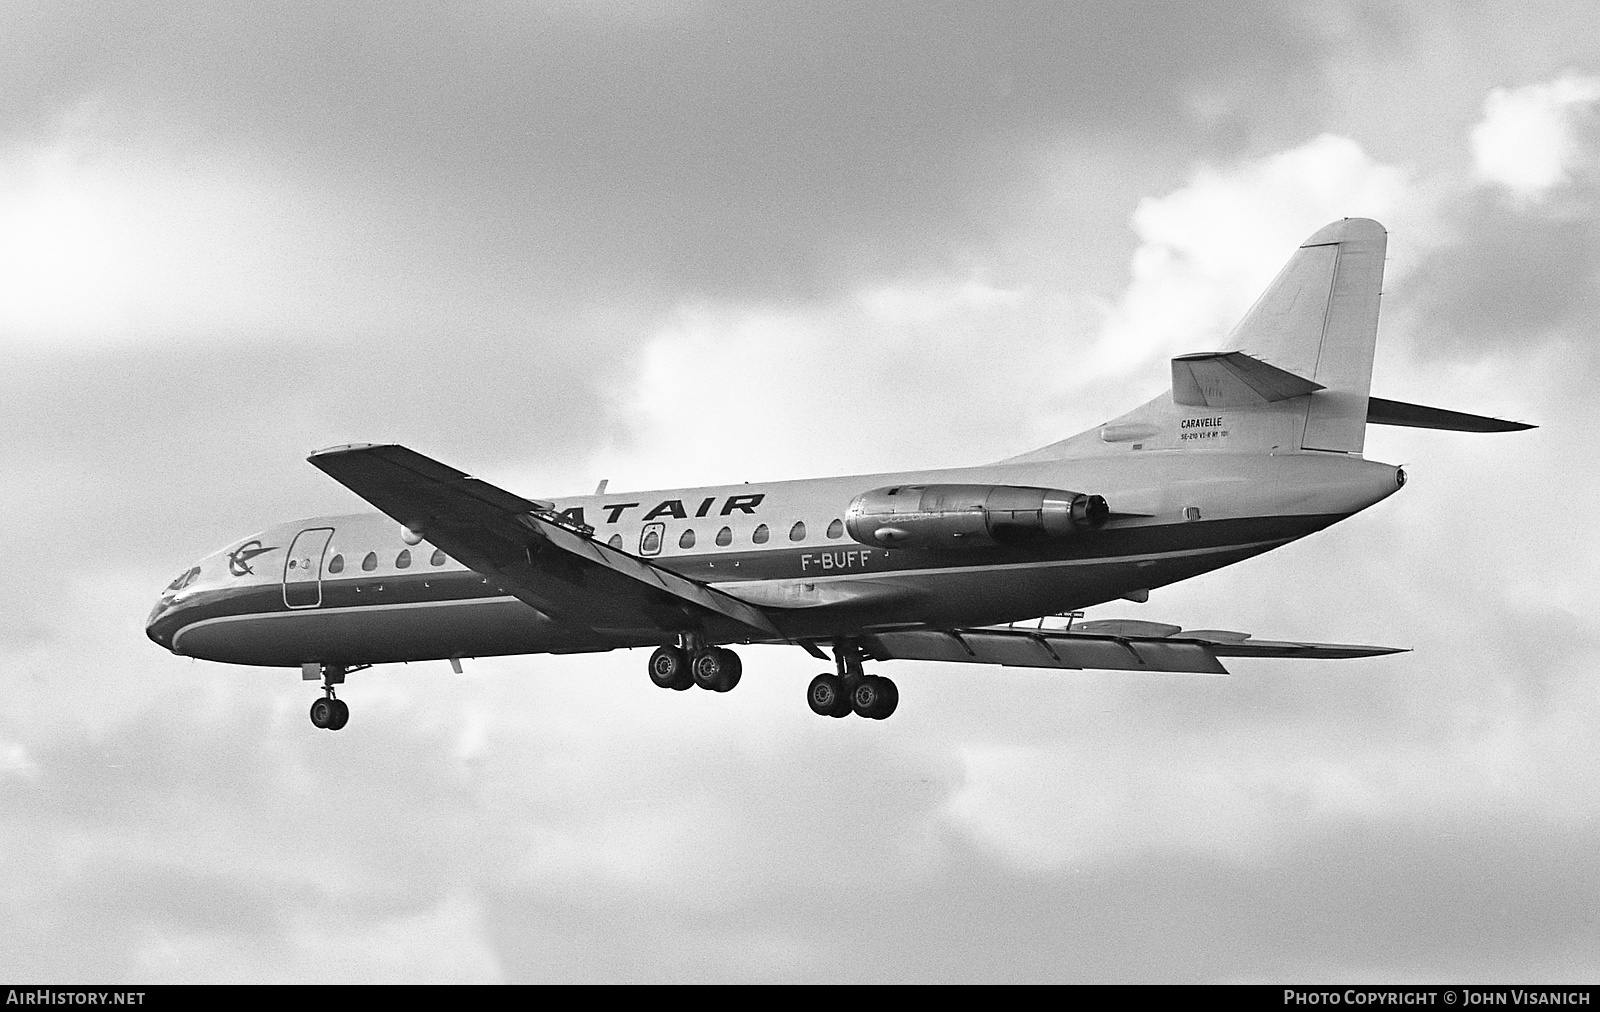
(703,243)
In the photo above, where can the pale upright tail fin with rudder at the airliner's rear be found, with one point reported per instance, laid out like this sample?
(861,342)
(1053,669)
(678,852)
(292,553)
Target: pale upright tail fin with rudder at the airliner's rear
(1319,319)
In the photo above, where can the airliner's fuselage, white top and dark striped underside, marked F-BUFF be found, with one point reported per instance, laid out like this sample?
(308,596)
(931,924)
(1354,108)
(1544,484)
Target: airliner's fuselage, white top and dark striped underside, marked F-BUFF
(362,590)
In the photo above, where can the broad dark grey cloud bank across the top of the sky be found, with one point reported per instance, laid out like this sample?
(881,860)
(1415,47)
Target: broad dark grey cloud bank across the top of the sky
(706,150)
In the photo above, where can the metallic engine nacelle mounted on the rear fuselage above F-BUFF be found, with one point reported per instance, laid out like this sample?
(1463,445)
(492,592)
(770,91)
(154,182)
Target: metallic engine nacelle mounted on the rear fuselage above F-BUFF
(970,516)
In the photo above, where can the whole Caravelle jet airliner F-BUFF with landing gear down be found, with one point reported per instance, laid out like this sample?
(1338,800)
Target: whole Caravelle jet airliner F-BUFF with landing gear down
(1252,448)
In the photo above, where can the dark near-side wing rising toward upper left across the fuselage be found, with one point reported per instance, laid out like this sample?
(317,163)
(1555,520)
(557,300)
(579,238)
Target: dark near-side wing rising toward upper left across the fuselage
(529,550)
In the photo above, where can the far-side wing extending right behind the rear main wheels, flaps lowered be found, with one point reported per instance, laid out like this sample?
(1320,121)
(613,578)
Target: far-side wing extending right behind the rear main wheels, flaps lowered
(1111,645)
